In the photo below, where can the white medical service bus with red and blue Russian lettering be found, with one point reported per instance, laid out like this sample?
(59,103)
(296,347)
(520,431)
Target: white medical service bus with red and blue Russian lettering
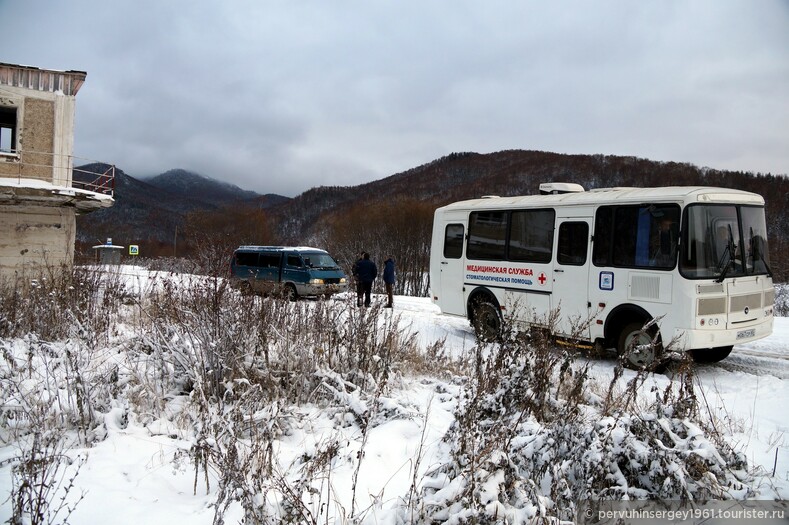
(692,259)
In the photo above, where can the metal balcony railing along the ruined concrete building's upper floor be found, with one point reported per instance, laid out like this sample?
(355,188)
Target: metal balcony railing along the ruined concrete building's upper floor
(58,170)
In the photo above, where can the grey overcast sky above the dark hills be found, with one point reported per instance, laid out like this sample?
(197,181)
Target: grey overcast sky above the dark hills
(279,97)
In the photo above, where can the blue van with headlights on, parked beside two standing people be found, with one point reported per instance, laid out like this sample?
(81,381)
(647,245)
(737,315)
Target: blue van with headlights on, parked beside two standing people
(293,271)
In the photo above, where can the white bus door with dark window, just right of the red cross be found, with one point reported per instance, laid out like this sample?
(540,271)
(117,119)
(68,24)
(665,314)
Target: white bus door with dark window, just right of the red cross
(570,293)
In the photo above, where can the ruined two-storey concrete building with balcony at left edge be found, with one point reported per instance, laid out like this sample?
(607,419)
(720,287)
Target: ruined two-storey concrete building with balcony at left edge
(41,189)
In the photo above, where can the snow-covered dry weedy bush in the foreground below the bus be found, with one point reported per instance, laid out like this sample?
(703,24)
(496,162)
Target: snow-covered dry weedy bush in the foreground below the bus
(529,444)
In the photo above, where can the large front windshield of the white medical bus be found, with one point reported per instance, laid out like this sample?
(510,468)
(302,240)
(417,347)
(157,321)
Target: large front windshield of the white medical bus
(720,241)
